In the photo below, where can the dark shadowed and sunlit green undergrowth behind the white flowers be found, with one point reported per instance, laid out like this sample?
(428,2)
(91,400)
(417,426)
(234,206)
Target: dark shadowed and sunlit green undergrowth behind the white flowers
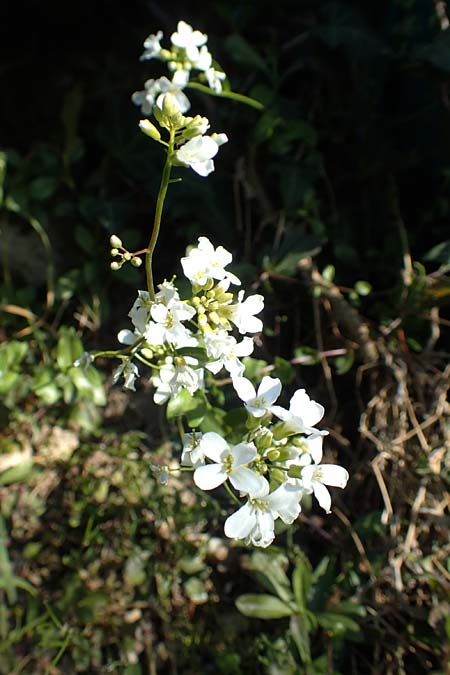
(335,203)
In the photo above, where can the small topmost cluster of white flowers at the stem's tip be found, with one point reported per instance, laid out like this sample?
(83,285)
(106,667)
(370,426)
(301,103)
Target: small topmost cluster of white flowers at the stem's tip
(187,56)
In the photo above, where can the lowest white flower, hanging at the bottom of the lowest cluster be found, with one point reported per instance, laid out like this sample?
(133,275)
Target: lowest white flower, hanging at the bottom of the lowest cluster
(255,521)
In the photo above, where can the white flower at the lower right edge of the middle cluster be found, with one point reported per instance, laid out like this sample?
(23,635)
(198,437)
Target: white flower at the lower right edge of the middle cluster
(225,350)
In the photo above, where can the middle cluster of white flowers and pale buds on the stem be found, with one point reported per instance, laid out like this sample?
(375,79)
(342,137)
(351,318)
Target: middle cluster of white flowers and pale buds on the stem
(179,338)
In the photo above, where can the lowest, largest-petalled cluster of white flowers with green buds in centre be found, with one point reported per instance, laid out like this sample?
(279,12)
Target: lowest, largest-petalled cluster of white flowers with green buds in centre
(273,466)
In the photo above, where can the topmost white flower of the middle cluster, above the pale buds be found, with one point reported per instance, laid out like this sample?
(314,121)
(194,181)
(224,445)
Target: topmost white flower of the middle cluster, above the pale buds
(206,262)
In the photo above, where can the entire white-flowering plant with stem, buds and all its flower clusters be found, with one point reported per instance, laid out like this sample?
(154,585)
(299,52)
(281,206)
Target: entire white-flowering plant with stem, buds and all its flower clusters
(266,456)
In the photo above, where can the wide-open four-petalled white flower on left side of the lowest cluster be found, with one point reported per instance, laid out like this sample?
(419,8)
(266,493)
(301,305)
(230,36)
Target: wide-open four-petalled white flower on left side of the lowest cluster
(229,463)
